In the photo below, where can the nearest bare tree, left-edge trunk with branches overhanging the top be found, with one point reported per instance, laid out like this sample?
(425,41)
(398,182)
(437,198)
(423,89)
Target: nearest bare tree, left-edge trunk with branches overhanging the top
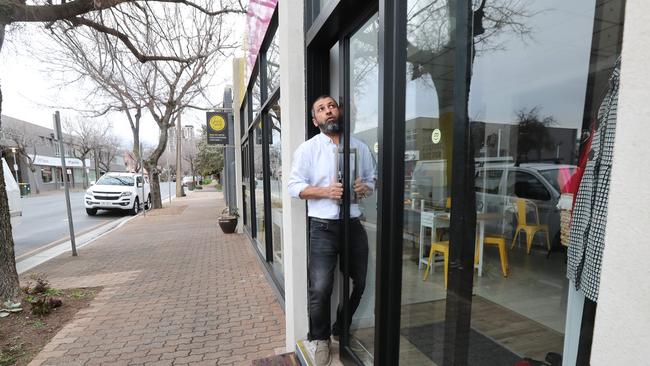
(77,13)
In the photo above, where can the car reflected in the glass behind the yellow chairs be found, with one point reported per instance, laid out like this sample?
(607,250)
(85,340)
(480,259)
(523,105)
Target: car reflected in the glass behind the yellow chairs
(498,187)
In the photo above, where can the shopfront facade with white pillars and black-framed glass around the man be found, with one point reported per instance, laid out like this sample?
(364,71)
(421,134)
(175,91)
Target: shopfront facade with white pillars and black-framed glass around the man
(484,118)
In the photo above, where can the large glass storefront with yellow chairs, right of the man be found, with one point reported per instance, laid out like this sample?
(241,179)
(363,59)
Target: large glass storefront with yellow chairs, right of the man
(495,111)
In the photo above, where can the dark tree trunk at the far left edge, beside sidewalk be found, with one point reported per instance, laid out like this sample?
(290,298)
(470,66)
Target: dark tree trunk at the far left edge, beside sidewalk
(9,285)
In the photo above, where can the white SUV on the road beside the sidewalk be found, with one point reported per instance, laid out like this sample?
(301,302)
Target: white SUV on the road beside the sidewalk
(118,191)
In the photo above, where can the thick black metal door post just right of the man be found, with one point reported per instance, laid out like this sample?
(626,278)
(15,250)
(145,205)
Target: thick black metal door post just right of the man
(392,99)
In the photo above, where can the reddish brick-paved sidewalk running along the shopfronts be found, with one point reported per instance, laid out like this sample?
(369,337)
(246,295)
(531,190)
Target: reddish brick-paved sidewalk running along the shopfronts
(176,291)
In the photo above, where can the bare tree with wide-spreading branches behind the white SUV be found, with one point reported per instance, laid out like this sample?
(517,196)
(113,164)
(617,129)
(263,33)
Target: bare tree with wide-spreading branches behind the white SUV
(164,88)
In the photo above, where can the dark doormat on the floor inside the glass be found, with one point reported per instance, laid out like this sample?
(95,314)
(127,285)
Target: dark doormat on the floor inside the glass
(483,351)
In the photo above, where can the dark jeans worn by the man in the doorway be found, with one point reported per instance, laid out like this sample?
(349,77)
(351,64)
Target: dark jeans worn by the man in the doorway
(325,245)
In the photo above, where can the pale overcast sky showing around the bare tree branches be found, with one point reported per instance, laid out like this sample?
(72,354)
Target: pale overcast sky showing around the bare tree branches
(32,93)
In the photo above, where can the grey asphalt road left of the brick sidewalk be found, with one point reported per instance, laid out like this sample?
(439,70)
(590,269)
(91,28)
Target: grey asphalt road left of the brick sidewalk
(45,219)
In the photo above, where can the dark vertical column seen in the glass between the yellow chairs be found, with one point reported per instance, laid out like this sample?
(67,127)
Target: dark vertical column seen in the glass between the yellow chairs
(463,211)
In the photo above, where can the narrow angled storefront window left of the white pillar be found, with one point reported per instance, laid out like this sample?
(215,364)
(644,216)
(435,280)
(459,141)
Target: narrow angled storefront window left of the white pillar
(261,154)
